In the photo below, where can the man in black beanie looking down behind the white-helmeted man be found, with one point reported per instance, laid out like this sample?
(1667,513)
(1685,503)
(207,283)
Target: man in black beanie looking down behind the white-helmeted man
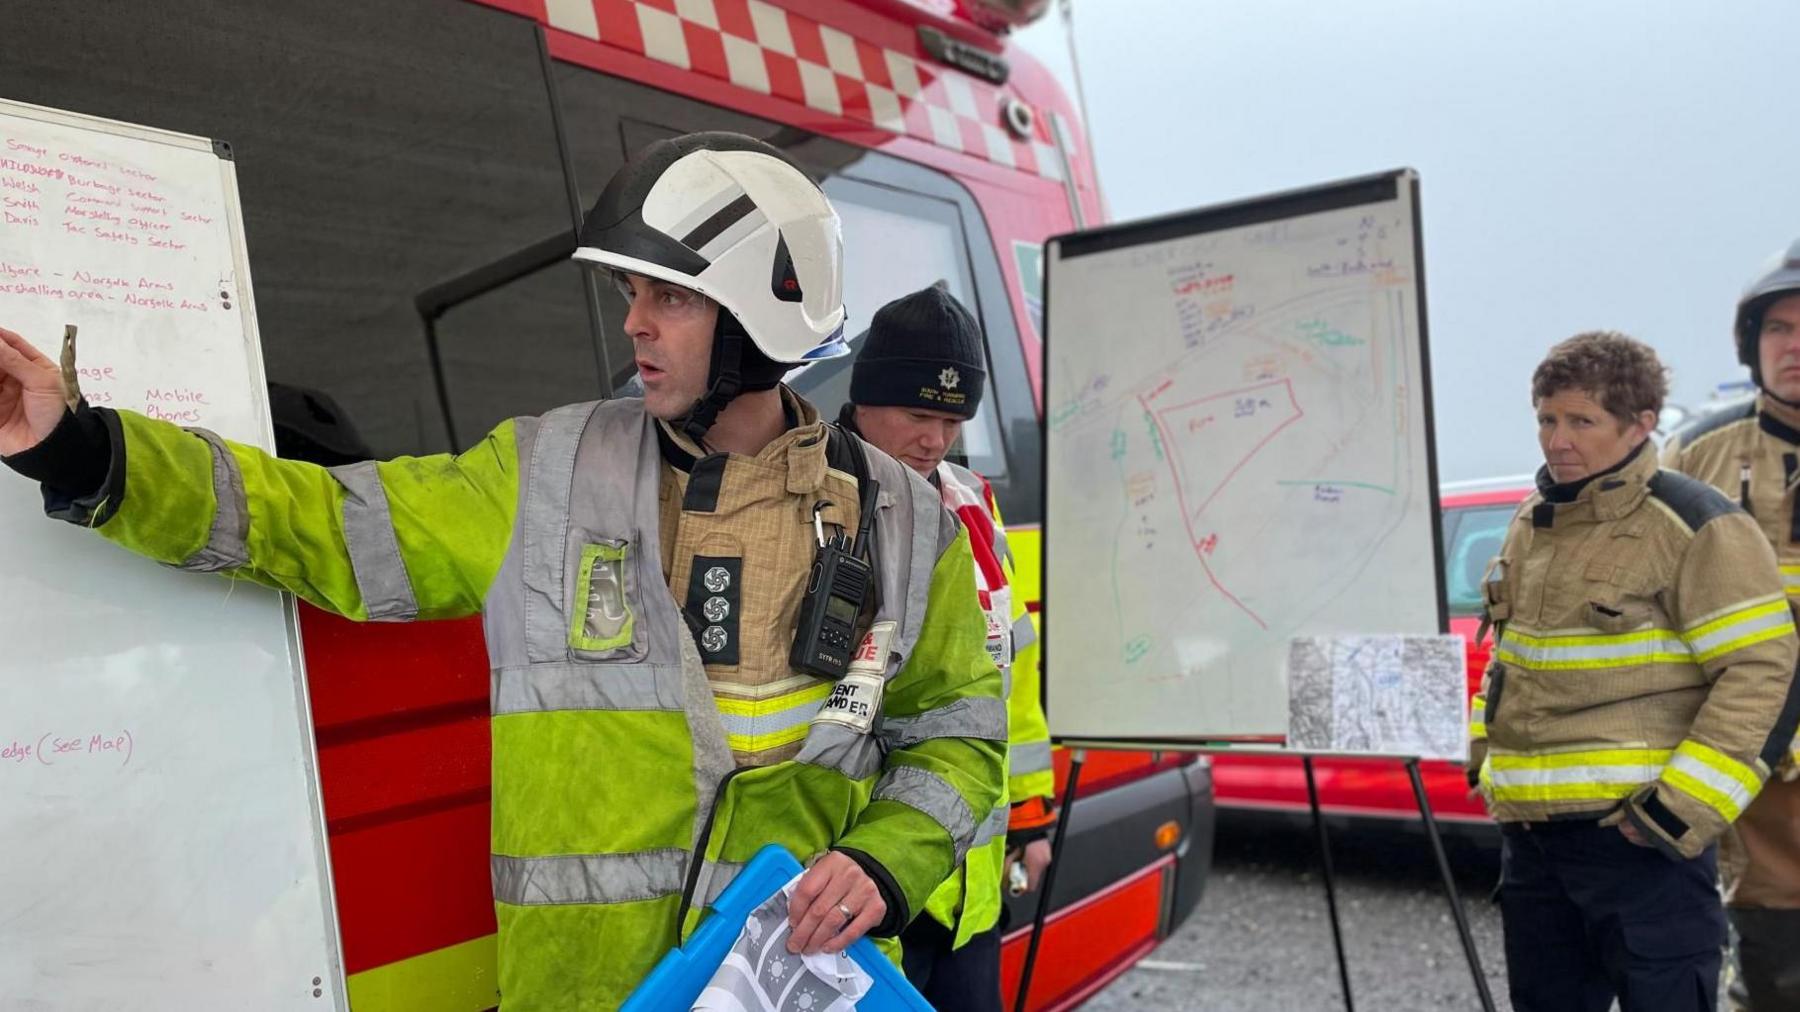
(919,377)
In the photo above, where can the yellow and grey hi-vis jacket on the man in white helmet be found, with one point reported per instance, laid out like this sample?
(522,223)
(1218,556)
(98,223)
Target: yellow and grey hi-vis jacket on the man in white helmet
(620,804)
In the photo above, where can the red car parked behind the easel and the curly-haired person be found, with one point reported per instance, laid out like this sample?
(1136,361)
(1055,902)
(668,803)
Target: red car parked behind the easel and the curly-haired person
(1475,525)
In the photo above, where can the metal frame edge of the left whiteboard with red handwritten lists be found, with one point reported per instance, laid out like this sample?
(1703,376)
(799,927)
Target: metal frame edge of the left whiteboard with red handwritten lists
(334,973)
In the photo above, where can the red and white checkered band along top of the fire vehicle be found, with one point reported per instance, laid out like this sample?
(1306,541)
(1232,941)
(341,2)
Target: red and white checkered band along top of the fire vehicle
(784,55)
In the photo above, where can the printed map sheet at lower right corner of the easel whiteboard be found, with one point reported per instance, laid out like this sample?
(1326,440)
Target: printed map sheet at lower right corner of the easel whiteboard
(1401,696)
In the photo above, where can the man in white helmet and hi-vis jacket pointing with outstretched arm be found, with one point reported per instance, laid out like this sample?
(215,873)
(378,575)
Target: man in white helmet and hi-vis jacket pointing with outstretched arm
(672,691)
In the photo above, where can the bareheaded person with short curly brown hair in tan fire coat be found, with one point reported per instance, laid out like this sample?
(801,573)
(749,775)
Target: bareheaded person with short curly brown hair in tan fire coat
(1637,700)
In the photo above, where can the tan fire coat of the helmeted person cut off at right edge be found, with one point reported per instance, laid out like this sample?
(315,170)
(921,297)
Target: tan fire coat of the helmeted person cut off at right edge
(1752,455)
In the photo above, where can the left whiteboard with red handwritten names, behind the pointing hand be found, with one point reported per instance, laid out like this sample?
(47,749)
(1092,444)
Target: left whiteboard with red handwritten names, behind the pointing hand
(157,772)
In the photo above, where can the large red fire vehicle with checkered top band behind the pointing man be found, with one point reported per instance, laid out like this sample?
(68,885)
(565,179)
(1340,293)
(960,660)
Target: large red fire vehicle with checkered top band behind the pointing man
(411,176)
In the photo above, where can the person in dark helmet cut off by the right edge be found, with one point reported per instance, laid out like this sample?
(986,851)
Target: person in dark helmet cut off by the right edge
(1754,456)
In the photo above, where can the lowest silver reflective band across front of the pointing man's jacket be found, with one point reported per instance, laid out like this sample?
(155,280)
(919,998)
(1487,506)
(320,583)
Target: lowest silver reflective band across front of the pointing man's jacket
(588,878)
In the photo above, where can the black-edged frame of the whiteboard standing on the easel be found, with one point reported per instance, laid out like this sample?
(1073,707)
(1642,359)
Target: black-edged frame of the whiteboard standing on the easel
(1376,188)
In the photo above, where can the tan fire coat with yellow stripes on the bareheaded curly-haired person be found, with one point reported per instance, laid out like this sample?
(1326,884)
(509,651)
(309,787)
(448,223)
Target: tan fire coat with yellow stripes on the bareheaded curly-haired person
(1644,658)
